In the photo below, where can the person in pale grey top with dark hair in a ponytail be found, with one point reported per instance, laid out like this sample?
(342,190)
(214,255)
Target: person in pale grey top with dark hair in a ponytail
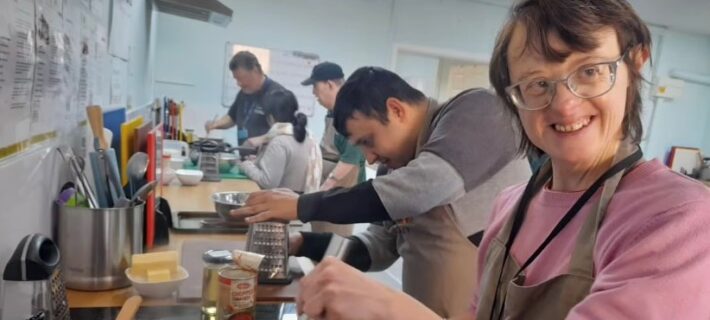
(288,157)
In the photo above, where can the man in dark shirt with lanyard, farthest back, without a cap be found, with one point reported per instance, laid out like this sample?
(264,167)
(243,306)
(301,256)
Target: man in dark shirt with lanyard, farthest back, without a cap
(247,111)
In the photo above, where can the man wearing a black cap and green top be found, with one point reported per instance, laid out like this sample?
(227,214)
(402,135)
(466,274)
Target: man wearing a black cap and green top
(343,163)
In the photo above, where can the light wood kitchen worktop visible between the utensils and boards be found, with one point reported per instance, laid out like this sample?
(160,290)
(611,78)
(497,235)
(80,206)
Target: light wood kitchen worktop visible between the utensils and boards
(182,198)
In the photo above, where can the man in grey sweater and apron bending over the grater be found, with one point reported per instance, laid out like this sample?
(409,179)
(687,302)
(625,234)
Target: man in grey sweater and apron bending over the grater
(447,164)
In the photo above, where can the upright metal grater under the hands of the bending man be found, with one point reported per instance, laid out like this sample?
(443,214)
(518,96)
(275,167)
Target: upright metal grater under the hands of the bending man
(271,240)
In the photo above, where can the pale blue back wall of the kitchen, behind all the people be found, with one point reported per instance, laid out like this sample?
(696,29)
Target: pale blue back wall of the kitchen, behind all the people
(356,33)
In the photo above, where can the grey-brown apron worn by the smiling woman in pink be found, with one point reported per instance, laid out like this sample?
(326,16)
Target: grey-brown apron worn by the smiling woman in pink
(503,281)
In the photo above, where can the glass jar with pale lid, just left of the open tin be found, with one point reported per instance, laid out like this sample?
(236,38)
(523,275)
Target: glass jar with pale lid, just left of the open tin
(214,260)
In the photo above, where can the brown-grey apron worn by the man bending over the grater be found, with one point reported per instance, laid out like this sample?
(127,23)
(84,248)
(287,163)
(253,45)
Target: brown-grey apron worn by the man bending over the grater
(439,258)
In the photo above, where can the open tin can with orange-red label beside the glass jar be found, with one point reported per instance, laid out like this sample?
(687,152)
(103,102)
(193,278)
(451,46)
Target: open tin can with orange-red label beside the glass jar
(237,294)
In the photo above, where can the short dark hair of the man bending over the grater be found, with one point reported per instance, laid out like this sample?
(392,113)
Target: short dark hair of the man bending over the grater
(366,91)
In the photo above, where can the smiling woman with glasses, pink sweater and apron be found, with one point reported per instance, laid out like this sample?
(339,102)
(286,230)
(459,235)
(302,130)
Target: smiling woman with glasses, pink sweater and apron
(594,234)
